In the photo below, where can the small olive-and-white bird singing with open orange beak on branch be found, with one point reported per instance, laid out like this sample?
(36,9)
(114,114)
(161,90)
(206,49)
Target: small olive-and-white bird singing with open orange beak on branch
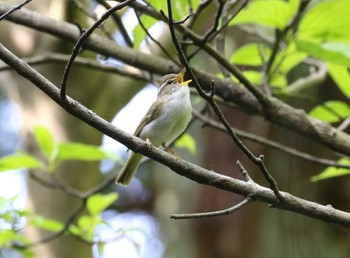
(165,120)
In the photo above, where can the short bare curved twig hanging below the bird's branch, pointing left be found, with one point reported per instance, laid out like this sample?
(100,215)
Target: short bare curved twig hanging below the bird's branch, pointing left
(212,213)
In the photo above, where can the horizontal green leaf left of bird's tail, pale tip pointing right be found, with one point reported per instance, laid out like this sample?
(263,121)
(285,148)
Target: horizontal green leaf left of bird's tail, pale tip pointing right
(85,152)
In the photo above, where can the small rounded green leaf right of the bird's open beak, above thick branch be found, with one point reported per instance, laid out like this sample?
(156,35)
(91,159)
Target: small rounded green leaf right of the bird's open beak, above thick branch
(251,54)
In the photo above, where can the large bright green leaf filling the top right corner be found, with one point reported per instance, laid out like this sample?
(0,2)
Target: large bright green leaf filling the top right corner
(326,21)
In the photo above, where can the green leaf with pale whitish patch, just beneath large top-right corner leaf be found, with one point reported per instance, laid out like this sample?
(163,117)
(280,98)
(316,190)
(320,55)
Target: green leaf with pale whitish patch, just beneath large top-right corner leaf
(334,52)
